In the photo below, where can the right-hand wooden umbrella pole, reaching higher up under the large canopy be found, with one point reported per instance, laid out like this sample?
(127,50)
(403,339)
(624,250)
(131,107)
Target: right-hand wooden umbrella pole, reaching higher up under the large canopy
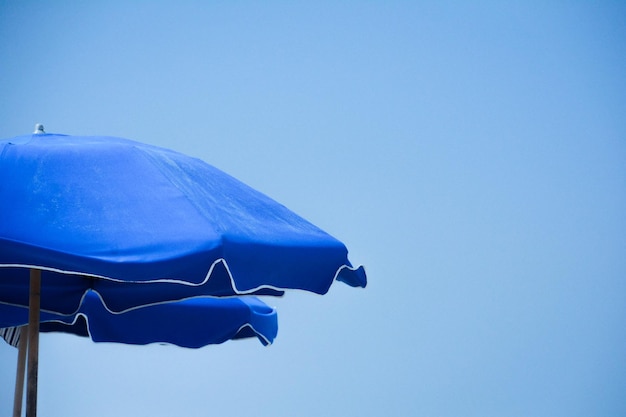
(33,342)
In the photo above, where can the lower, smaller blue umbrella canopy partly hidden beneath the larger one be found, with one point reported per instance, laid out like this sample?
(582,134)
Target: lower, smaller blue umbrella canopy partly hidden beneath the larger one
(192,323)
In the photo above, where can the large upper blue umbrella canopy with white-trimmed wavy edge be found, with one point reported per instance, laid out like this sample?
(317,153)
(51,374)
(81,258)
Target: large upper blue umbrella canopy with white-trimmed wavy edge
(100,213)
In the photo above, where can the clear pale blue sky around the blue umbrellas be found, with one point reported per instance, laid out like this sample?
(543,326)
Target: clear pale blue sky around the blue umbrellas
(471,156)
